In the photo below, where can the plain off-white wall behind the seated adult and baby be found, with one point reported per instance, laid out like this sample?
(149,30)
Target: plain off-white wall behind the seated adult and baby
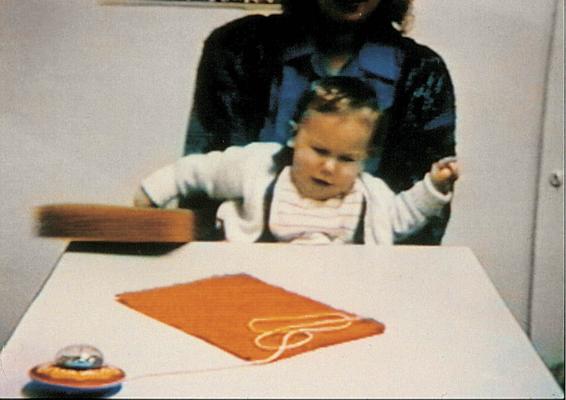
(94,97)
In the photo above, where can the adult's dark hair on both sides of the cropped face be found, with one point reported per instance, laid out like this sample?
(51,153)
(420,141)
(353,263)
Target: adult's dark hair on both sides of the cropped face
(389,14)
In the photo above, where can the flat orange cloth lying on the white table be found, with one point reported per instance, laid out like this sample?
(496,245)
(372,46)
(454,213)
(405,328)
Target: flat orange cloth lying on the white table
(219,309)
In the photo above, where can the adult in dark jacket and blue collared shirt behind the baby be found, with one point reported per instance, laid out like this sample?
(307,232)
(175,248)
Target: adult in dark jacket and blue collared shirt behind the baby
(254,69)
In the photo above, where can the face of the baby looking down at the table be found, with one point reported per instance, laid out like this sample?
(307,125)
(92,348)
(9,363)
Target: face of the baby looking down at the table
(329,154)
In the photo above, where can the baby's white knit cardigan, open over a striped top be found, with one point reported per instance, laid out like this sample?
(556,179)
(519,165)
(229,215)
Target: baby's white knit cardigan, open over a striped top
(241,176)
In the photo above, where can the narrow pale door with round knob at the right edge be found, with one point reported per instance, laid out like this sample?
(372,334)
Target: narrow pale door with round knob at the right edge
(547,293)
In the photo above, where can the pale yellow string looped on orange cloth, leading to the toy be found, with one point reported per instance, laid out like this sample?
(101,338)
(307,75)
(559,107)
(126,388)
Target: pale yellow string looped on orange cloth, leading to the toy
(333,321)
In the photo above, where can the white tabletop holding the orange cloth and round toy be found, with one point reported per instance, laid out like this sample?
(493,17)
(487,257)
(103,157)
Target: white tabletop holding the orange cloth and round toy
(448,333)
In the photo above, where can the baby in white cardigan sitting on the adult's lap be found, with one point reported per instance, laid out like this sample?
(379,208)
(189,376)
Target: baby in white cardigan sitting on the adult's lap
(313,189)
